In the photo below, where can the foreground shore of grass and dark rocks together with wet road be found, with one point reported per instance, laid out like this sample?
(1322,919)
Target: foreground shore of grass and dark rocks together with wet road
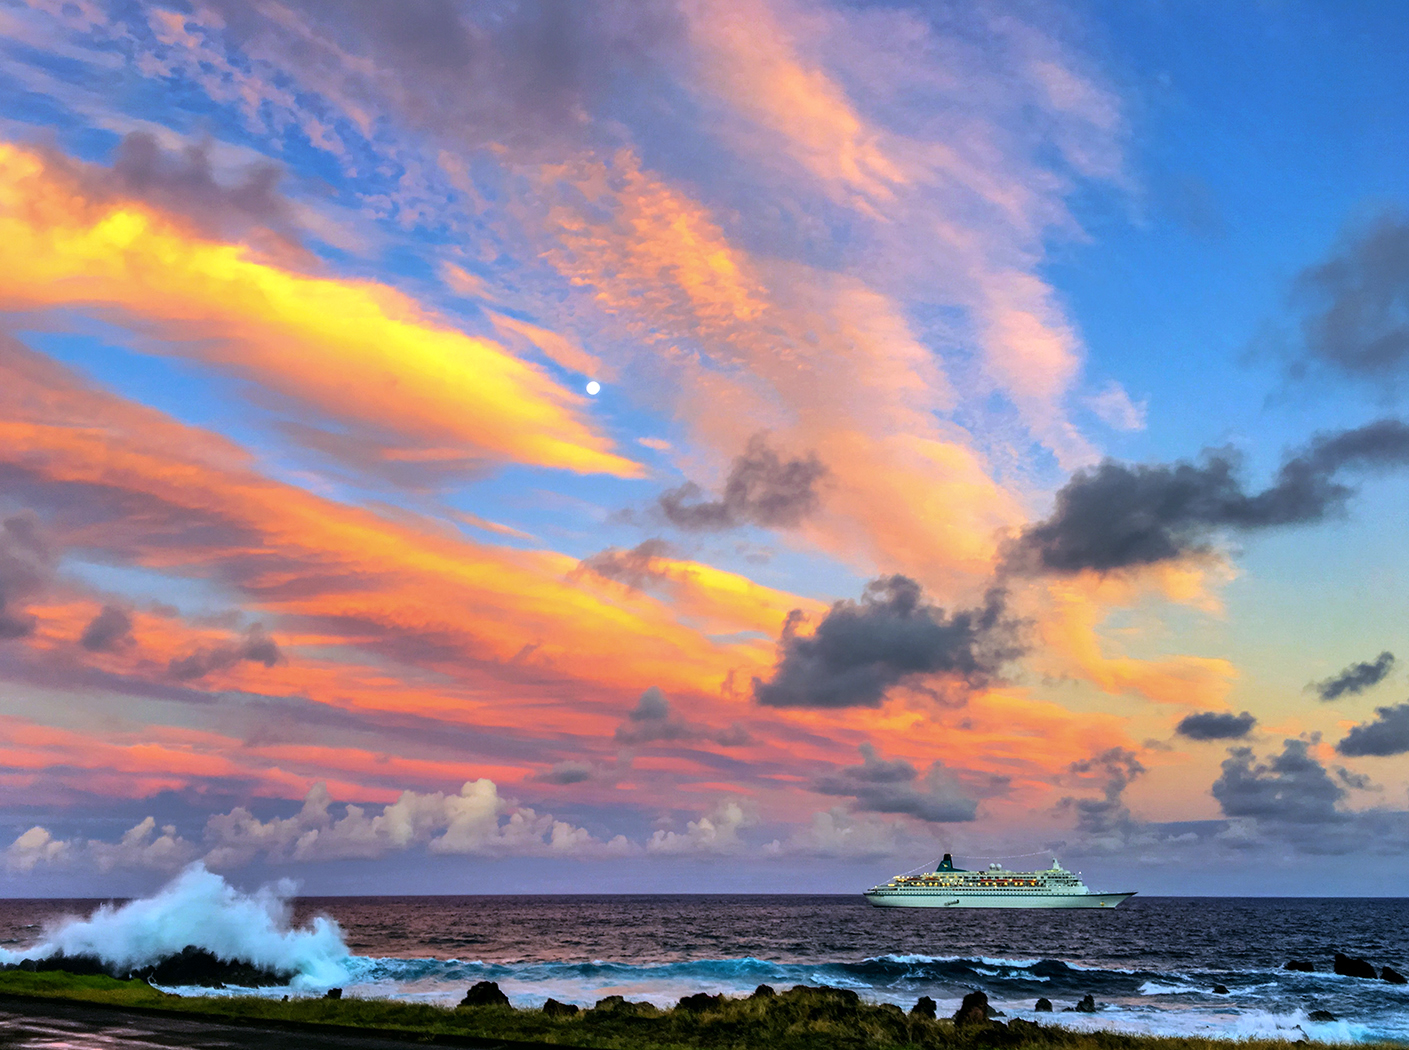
(794,1020)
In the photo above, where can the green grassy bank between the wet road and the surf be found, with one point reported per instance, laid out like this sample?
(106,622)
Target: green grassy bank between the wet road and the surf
(798,1020)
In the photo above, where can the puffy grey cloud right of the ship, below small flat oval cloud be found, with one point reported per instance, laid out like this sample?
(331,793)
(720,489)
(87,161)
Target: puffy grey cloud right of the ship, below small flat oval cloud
(1290,789)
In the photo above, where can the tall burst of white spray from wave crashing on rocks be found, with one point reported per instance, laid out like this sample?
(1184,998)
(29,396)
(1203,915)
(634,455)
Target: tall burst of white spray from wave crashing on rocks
(201,908)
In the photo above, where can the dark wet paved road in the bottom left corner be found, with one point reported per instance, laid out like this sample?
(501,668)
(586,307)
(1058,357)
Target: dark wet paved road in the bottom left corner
(78,1027)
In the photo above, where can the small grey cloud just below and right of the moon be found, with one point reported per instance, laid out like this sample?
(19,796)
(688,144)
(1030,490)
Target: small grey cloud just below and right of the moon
(762,490)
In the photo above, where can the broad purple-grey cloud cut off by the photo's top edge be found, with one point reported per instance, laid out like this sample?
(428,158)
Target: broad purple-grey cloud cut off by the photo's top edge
(518,74)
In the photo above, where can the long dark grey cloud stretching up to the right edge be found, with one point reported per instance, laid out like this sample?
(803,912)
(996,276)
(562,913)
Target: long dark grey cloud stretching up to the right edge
(1119,515)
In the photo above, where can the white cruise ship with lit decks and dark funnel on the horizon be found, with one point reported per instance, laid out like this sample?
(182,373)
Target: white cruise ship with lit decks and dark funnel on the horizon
(950,887)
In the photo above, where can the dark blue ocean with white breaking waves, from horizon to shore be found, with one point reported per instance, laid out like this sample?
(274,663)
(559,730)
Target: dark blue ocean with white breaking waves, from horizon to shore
(1152,965)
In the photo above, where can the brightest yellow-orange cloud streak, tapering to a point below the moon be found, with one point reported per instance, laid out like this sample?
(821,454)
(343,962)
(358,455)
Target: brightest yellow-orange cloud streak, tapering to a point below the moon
(357,352)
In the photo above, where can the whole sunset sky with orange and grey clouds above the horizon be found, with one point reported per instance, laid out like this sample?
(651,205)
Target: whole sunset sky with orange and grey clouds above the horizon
(704,446)
